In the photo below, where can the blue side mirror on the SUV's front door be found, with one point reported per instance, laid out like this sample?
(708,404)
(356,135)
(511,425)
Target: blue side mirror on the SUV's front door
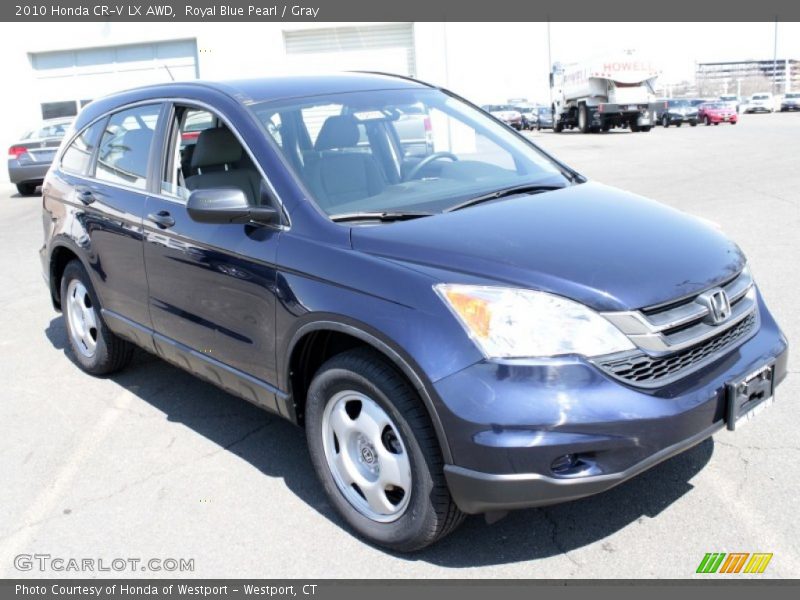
(227,205)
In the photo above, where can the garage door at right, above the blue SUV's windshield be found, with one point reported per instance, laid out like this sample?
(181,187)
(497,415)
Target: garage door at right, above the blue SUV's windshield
(388,48)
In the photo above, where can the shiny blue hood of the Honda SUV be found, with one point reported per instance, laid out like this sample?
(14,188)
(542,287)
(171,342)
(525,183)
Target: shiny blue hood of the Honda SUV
(601,246)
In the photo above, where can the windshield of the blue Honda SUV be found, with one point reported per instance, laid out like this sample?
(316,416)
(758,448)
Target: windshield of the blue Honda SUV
(404,150)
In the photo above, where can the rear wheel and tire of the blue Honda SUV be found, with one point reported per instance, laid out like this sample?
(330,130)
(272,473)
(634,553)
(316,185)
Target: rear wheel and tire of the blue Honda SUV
(96,349)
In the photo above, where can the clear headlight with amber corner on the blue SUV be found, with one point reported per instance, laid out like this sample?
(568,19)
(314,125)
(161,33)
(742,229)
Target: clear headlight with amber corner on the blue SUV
(516,323)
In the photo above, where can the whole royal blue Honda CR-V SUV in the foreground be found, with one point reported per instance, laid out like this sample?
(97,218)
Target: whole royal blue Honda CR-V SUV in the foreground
(476,330)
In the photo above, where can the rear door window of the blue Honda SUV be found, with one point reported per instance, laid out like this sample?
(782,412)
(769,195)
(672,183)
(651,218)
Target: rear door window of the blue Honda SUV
(125,147)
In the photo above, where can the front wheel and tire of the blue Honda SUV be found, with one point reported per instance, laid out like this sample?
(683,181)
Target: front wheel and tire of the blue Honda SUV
(359,382)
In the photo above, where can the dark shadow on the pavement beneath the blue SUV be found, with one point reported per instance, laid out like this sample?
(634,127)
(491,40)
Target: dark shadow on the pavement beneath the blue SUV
(277,448)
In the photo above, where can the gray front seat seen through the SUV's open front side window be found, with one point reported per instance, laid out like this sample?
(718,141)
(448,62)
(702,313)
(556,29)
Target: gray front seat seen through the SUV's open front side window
(213,162)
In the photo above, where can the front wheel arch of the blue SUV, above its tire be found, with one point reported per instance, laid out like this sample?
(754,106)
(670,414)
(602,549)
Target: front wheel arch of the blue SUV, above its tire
(315,341)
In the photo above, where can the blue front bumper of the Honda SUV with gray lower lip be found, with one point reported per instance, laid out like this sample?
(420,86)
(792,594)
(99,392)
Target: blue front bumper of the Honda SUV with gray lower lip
(509,423)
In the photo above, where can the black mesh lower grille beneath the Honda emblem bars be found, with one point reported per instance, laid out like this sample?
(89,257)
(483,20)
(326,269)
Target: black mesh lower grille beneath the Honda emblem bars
(641,369)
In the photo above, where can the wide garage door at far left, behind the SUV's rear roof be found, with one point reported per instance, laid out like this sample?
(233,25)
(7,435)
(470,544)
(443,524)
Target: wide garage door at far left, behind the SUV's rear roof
(66,79)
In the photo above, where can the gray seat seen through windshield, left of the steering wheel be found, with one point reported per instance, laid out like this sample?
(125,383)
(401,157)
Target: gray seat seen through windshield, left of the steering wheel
(340,172)
